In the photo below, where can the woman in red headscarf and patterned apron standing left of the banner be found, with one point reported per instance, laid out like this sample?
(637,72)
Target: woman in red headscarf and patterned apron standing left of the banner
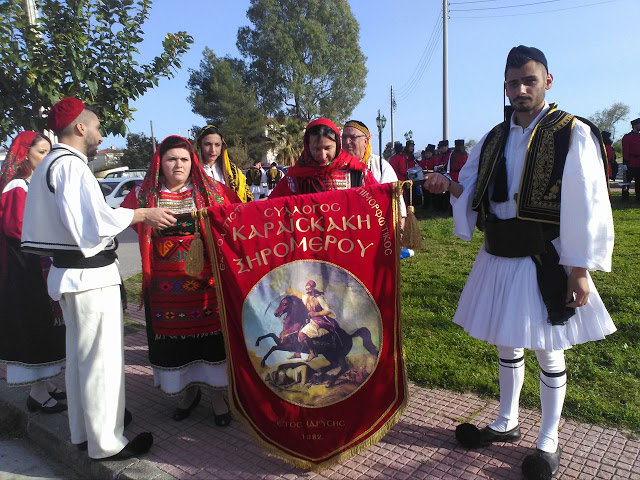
(186,347)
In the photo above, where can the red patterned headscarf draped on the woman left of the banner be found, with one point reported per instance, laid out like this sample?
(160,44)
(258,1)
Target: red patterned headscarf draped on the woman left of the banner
(206,192)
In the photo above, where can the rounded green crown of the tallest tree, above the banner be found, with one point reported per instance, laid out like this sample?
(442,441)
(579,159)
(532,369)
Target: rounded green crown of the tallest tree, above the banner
(305,57)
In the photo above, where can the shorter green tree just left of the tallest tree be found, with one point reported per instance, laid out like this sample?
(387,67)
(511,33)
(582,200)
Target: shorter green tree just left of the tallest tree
(220,93)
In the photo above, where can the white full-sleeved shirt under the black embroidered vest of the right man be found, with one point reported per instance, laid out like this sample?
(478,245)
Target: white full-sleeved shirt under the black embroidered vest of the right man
(586,222)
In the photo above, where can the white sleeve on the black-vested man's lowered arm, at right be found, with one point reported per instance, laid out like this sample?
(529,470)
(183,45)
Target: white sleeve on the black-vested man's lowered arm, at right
(586,221)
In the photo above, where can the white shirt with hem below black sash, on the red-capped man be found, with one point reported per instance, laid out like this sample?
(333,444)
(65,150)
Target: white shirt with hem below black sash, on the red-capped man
(88,219)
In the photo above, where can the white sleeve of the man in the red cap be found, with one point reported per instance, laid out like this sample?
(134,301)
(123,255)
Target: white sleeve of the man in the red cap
(83,210)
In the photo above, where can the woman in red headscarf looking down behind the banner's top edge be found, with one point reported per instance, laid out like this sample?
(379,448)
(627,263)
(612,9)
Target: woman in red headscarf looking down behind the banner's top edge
(323,164)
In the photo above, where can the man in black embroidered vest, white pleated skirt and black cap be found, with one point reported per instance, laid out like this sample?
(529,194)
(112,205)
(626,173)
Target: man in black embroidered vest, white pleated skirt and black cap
(536,185)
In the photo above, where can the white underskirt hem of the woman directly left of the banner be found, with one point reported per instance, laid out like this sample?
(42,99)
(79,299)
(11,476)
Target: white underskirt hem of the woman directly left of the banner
(172,382)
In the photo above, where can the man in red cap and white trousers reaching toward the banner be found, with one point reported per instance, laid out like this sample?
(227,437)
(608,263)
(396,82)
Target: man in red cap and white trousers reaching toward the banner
(67,217)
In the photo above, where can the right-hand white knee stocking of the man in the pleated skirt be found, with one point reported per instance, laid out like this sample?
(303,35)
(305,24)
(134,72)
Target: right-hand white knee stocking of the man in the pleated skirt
(553,385)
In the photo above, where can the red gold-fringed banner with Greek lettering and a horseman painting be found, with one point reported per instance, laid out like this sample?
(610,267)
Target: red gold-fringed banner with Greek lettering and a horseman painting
(308,289)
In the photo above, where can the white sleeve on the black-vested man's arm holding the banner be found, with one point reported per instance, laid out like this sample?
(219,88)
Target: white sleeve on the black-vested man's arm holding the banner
(464,217)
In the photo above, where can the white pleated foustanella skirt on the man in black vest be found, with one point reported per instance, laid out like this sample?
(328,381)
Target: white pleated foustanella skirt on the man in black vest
(502,305)
